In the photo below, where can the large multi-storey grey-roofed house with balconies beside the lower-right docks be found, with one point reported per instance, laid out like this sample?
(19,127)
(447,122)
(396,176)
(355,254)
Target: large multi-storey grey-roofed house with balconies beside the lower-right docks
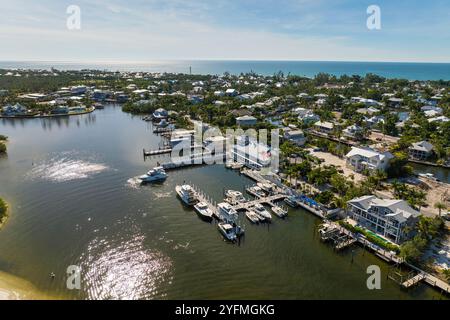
(392,219)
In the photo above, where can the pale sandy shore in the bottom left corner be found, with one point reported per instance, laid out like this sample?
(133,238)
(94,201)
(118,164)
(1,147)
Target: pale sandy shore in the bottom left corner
(14,288)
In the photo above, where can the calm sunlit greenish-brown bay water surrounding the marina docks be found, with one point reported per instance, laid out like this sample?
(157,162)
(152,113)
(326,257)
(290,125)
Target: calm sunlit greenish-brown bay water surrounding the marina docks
(75,201)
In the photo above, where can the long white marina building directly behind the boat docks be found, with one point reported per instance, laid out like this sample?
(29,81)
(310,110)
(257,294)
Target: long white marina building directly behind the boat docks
(252,154)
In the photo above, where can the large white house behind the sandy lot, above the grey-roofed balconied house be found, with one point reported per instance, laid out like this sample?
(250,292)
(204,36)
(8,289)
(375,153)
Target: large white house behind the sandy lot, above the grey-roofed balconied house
(360,159)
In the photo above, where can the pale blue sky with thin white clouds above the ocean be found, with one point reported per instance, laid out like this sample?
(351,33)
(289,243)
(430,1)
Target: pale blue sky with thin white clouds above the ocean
(147,30)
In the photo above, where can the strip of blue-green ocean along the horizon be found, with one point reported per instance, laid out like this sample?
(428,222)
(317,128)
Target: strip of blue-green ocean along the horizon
(410,71)
